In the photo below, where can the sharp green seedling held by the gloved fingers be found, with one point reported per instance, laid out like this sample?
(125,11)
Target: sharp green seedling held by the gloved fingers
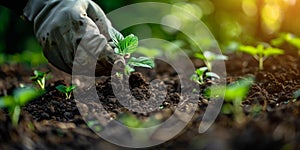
(125,46)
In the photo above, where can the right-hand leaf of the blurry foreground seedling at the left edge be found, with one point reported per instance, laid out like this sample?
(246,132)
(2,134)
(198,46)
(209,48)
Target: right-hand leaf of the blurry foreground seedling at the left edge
(23,95)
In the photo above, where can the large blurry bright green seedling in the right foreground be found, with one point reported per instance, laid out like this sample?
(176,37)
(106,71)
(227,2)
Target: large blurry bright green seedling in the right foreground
(234,94)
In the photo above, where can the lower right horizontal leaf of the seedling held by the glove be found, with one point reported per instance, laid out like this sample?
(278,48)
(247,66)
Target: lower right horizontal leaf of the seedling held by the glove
(141,62)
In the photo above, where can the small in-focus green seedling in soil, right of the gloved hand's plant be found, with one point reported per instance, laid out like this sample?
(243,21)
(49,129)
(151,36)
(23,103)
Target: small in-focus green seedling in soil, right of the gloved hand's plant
(201,74)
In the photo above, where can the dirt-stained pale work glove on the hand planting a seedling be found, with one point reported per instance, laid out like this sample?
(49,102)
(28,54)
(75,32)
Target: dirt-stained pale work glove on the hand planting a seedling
(73,32)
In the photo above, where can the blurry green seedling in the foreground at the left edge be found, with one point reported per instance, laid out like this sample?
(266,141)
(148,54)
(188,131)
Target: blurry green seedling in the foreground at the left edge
(19,98)
